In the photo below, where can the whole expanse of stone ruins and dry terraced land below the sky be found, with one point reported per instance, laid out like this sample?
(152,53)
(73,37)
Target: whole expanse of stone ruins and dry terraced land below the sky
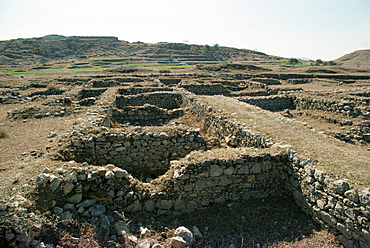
(189,152)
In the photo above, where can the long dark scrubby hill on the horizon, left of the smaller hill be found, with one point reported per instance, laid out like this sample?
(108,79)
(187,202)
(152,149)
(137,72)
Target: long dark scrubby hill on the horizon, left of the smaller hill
(43,50)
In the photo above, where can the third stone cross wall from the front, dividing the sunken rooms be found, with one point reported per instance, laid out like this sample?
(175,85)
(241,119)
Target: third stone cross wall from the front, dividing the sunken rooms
(147,114)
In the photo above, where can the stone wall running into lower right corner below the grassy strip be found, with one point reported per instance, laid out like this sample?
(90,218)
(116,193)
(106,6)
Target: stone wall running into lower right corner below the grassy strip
(332,203)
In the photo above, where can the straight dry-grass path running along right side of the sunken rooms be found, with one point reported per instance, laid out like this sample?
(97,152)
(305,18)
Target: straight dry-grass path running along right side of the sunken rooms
(334,157)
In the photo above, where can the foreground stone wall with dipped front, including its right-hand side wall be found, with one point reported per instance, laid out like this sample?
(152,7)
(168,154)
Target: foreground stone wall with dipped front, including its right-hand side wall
(94,193)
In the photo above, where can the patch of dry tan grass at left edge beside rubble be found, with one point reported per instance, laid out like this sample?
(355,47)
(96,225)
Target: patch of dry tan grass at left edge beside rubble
(22,137)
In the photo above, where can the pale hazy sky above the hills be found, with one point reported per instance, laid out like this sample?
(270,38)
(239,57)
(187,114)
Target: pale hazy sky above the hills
(325,29)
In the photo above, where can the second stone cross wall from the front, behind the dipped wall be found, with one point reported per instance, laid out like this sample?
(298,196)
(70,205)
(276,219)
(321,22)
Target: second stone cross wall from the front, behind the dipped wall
(143,155)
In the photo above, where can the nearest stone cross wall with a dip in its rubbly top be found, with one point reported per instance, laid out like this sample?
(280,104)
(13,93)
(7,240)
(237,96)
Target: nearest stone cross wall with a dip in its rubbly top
(90,194)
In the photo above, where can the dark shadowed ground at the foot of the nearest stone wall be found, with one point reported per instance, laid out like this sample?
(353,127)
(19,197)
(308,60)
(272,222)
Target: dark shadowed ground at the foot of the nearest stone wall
(251,223)
